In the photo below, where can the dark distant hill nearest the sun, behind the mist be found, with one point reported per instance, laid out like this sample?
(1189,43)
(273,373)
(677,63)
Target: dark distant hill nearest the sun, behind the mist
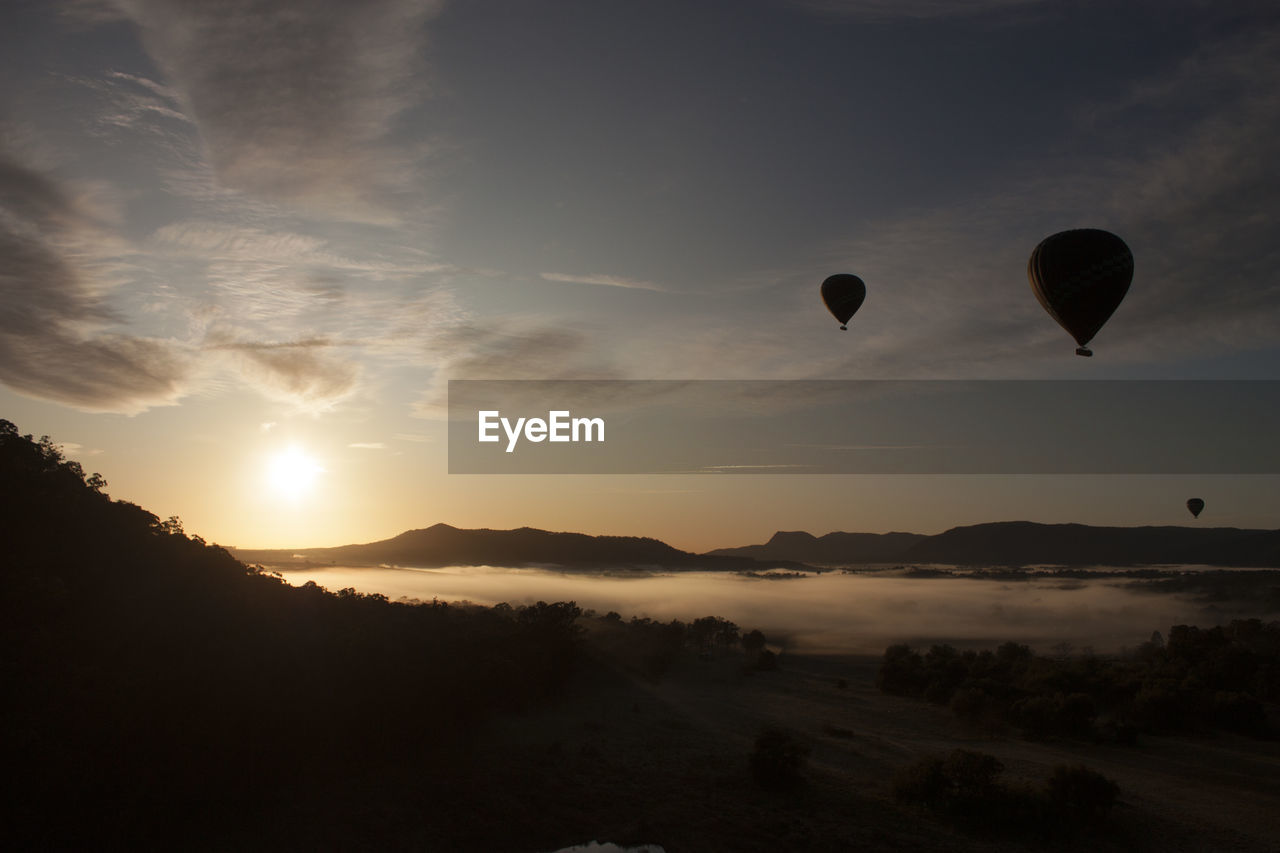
(446,546)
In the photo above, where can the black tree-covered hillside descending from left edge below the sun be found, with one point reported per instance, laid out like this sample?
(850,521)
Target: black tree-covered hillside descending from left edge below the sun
(163,696)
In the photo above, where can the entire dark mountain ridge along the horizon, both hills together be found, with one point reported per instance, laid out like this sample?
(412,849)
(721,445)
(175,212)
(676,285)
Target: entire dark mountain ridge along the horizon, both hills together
(996,544)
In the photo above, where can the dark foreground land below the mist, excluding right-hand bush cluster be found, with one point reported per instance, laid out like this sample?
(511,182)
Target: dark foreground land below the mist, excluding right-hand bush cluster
(164,696)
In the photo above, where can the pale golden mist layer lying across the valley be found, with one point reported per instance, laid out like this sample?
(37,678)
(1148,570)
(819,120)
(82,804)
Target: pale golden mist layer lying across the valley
(830,613)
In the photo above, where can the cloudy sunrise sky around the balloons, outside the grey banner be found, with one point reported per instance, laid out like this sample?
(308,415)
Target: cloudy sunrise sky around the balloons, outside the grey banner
(245,247)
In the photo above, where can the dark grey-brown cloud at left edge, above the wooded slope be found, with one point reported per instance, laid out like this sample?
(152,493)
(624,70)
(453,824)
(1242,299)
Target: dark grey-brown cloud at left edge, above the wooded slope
(56,268)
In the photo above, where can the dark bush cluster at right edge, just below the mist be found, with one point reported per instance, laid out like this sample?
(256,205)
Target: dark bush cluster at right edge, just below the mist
(1201,679)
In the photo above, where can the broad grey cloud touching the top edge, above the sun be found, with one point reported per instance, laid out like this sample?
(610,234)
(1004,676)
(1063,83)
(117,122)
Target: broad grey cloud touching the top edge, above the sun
(296,102)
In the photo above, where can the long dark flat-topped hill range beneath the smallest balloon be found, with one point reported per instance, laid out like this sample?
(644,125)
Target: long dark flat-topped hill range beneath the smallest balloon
(1014,544)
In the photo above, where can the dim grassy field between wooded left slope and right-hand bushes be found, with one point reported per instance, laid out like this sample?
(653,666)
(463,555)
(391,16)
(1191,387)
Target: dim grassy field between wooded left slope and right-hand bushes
(668,763)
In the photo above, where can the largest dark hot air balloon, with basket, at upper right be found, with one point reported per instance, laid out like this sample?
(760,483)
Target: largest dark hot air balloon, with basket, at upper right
(1081,277)
